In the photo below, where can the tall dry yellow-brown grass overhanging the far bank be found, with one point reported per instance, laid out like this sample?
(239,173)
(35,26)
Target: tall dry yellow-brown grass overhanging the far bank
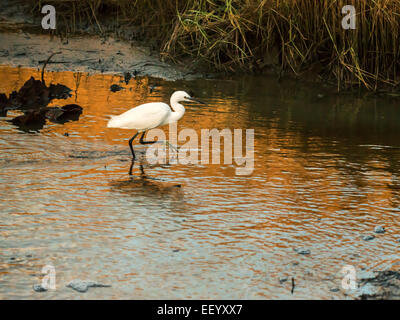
(286,35)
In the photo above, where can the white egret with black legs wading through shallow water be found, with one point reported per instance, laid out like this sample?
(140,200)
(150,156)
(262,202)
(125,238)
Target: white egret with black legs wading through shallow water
(151,115)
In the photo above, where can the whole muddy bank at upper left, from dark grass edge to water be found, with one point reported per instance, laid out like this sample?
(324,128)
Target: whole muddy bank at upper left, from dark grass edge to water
(24,43)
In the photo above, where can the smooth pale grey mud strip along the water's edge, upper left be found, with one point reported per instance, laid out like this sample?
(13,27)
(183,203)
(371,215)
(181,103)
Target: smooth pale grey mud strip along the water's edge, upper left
(90,54)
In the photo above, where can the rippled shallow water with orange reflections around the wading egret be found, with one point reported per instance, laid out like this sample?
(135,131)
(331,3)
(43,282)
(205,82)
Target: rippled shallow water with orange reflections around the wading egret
(326,173)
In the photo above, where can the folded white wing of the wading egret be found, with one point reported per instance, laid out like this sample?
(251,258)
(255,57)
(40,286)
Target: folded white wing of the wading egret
(143,117)
